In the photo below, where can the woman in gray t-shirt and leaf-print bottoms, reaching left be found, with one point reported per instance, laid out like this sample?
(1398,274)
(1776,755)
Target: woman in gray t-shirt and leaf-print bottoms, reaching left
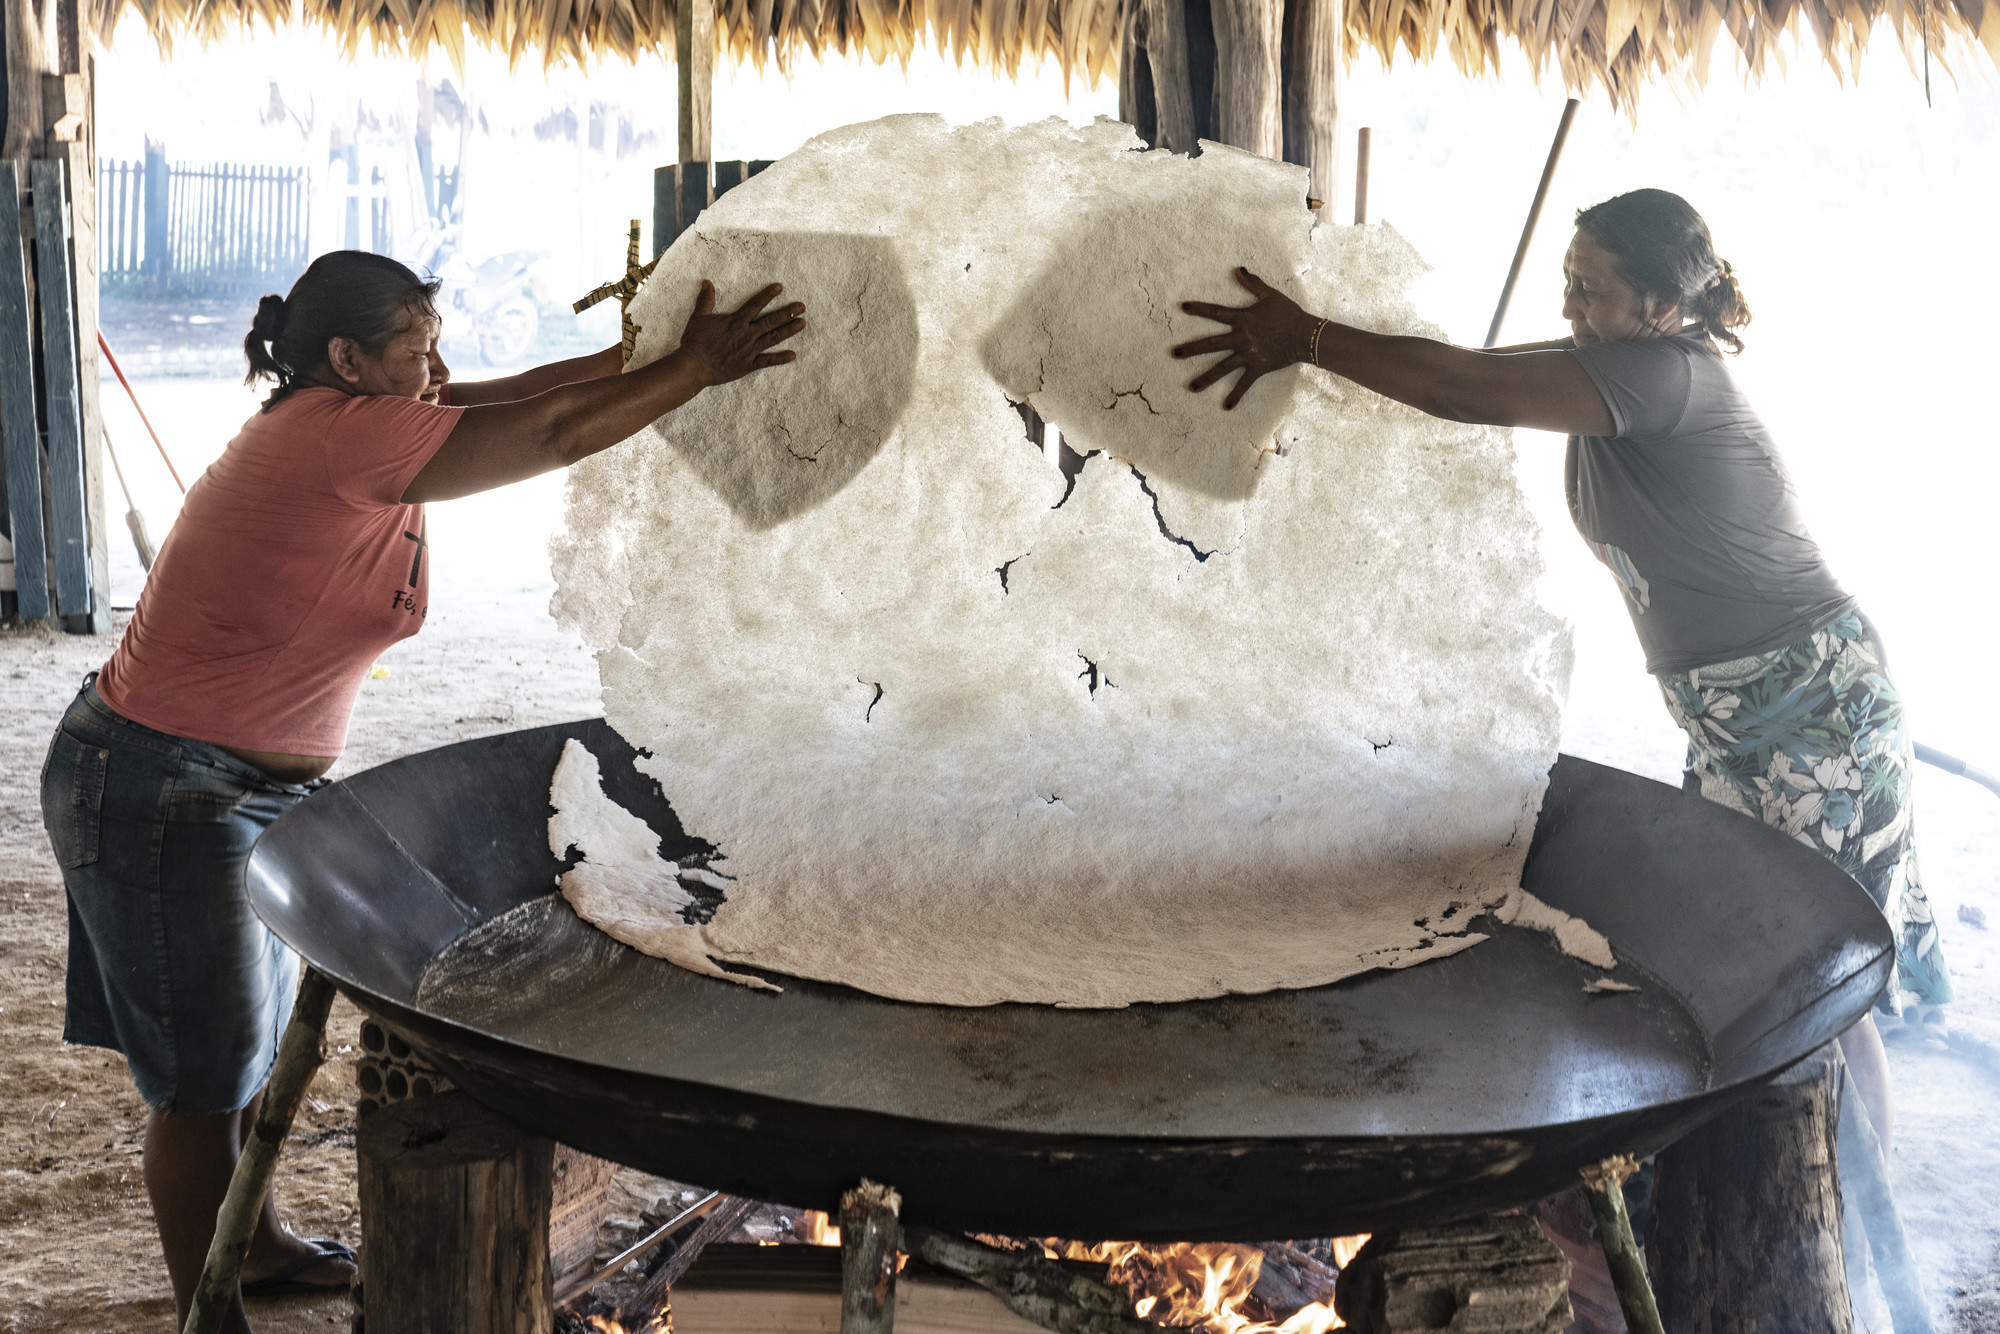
(1677,487)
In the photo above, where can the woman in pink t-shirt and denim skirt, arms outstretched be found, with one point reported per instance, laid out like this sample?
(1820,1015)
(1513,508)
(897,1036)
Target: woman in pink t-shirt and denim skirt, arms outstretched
(299,557)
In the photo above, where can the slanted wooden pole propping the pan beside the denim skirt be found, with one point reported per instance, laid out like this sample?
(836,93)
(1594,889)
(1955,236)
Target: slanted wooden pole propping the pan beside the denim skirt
(299,1059)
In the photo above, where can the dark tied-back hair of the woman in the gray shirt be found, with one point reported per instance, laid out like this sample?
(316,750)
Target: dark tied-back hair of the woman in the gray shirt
(1663,249)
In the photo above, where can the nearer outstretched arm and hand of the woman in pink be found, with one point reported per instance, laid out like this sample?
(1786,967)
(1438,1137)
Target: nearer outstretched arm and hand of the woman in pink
(503,443)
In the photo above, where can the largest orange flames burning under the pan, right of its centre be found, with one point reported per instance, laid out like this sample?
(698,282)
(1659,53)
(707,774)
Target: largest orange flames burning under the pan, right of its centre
(1201,1285)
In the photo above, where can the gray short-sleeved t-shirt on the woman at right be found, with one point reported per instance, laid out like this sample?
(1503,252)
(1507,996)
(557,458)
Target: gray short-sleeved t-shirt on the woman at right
(1693,511)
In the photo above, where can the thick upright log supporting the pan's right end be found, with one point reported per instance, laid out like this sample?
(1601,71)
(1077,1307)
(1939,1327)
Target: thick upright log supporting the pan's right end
(1747,1215)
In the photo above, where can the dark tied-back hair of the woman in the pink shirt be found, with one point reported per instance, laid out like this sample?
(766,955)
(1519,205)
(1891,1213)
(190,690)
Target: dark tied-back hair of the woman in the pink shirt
(343,295)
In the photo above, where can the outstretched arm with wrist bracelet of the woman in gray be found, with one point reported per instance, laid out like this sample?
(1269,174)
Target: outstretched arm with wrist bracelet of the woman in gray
(1545,391)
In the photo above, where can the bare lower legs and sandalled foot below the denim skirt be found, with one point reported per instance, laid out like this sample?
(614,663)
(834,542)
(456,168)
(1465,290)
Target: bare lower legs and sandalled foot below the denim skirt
(189,1165)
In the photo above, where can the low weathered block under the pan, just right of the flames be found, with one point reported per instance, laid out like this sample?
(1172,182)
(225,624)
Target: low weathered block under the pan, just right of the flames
(1493,1275)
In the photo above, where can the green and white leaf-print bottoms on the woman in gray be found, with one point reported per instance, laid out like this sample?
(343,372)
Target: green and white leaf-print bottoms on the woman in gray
(1811,741)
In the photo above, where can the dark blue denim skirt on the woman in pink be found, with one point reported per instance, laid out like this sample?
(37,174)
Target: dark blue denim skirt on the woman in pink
(167,961)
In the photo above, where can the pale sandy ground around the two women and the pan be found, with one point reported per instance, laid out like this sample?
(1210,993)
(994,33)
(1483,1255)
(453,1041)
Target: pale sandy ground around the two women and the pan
(77,1251)
